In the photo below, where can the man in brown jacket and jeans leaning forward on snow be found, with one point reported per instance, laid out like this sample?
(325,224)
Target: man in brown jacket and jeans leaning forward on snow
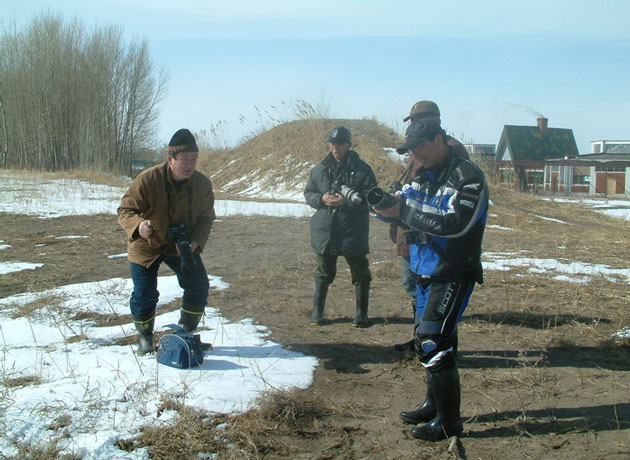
(168,212)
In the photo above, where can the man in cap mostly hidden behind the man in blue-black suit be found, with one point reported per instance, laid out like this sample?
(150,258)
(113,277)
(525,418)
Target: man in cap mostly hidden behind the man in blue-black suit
(419,111)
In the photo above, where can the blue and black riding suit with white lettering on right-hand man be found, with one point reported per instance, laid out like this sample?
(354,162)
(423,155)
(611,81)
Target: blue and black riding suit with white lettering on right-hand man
(447,207)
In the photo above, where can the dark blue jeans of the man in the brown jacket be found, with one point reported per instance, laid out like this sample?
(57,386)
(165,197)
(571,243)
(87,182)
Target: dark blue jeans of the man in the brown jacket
(145,293)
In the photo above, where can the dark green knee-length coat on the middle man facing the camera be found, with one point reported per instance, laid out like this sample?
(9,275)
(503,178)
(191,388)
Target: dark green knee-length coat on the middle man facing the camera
(342,230)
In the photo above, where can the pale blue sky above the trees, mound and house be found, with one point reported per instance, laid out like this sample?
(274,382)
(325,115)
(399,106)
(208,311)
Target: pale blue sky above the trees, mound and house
(486,63)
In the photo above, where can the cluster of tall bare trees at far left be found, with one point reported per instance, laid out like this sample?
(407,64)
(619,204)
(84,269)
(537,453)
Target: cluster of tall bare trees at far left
(71,99)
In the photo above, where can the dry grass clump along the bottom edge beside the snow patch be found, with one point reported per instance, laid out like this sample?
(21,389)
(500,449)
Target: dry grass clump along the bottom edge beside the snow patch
(287,414)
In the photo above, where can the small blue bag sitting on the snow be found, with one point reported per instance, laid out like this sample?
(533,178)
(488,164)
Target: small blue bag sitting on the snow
(181,350)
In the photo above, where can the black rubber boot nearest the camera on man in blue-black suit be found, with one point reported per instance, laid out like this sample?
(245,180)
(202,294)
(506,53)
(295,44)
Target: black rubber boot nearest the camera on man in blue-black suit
(447,396)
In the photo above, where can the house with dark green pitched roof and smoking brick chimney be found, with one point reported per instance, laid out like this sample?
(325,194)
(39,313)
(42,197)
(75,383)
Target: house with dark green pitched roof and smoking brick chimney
(523,150)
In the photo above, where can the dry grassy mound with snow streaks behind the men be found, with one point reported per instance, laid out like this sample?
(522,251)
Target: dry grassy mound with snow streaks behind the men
(275,164)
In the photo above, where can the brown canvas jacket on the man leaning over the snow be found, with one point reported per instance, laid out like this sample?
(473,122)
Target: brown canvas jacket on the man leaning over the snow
(147,199)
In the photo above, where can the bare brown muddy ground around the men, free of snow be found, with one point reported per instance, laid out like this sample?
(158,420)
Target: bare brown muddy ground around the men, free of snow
(540,376)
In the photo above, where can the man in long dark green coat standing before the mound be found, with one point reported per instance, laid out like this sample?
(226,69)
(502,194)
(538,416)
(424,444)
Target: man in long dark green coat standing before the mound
(336,188)
